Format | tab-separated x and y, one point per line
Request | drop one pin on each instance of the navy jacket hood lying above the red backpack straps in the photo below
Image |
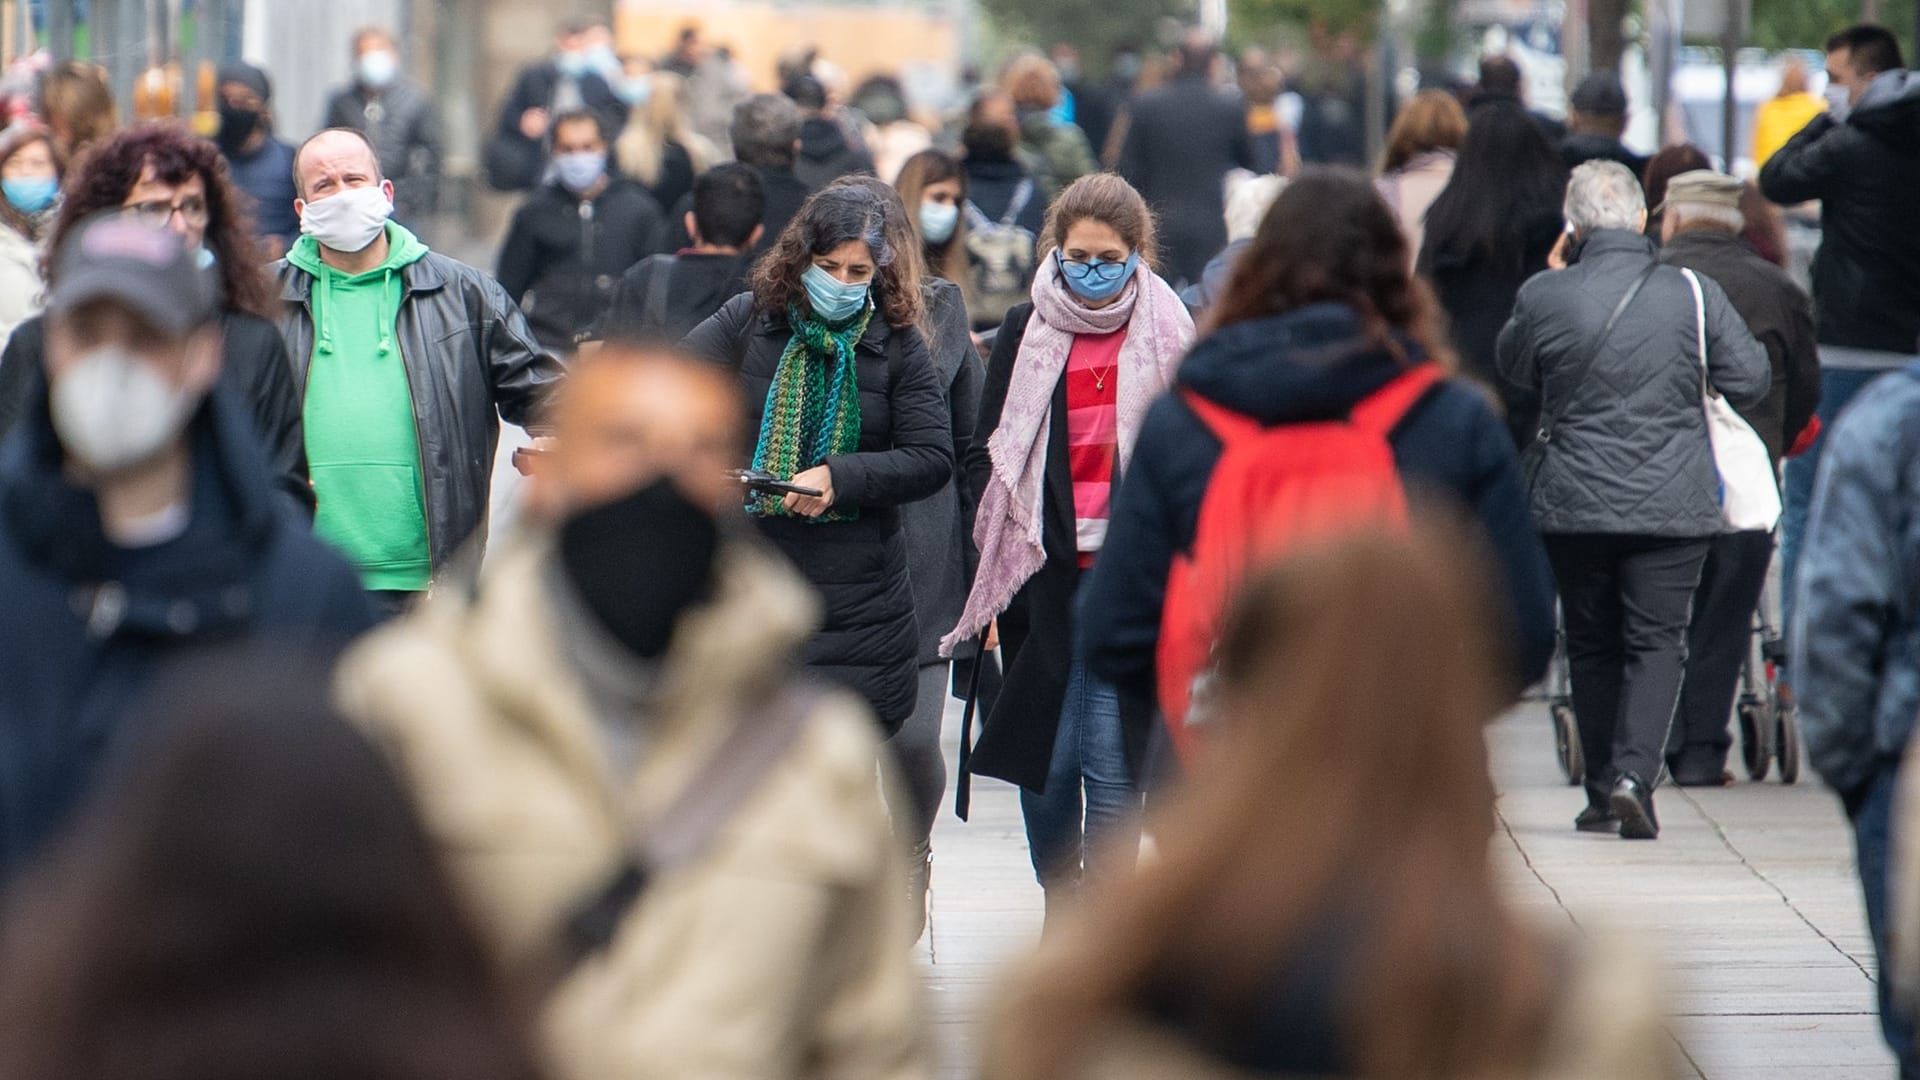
1303	366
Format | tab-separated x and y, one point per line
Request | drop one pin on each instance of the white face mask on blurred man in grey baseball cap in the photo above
112	410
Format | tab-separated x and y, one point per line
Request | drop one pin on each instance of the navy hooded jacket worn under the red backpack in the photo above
1314	364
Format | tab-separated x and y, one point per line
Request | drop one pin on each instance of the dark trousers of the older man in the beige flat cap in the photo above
1717	647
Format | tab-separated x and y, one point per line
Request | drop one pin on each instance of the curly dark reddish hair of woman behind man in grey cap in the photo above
176	155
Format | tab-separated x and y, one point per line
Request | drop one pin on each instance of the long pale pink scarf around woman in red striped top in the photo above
1009	524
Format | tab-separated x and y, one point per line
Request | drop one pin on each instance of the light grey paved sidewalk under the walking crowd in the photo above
1748	896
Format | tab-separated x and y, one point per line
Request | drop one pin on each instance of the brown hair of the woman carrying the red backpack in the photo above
1330	239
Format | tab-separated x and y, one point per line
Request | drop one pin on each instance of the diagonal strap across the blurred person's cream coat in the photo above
690	825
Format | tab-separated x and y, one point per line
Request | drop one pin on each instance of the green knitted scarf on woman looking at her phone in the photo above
813	408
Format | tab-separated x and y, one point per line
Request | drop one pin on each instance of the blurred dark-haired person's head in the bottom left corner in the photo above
251	896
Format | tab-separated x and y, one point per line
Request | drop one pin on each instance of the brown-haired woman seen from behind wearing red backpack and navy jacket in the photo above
1320	322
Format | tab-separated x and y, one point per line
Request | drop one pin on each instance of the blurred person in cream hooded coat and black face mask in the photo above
636	791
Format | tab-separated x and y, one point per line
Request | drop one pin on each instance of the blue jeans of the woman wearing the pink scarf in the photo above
1090	754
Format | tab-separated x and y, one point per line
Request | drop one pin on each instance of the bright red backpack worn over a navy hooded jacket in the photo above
1274	491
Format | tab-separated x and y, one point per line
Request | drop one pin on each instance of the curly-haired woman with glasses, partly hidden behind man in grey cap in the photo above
172	178
